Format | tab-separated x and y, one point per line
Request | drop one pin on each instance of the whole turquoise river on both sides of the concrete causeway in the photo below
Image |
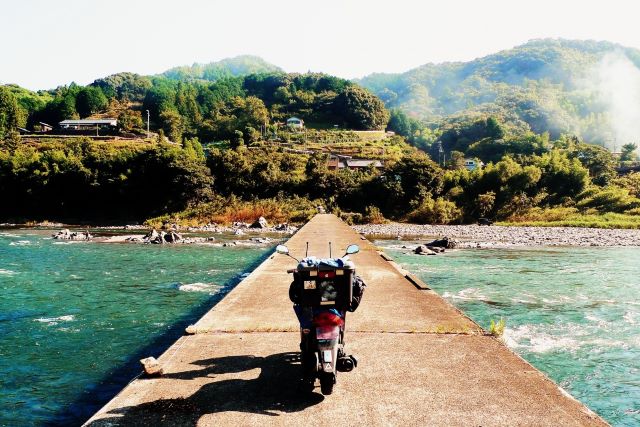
75	318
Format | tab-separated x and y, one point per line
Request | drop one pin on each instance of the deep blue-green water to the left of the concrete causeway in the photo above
75	318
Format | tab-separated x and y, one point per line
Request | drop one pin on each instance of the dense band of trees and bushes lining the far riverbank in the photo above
85	180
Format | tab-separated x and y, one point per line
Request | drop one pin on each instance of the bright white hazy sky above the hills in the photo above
45	43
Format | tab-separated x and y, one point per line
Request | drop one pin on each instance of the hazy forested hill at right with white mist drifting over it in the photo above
560	86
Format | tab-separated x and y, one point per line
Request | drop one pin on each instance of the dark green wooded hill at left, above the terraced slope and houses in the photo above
231	108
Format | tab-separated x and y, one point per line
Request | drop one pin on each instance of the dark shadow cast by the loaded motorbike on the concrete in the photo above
275	390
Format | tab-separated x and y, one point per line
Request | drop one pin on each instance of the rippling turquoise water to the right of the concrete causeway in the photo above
573	313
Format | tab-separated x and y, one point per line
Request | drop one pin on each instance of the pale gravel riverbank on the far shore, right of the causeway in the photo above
476	236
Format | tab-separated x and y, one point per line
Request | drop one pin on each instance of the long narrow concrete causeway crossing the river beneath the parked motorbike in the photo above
421	361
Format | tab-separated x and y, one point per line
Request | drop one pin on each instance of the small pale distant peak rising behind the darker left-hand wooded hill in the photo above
229	67
